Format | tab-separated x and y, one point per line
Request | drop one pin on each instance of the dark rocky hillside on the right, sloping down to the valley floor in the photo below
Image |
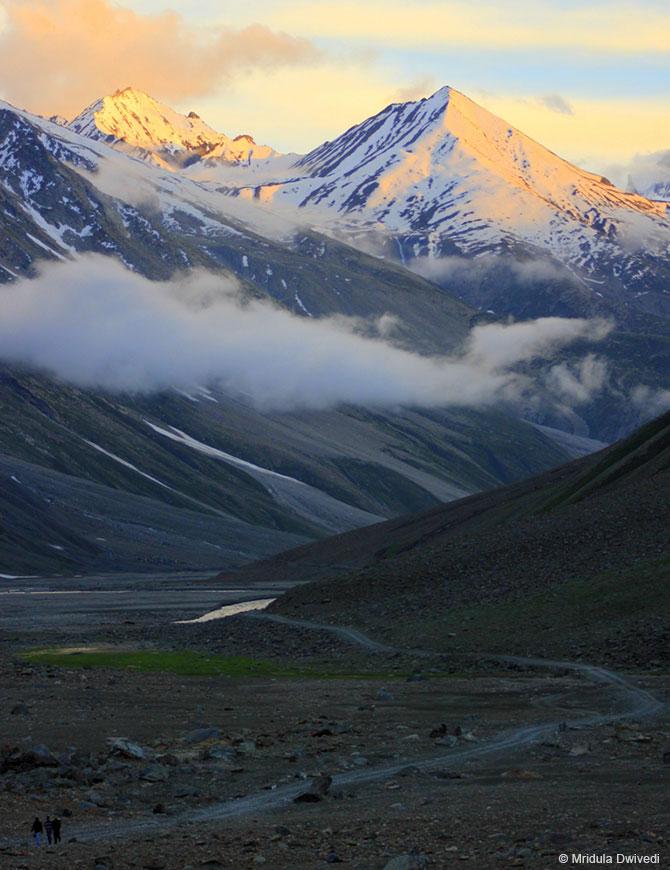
574	560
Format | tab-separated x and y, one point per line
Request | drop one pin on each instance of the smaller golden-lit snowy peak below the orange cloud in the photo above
133	120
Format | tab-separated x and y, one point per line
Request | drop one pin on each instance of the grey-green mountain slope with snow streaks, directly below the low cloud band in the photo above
175	481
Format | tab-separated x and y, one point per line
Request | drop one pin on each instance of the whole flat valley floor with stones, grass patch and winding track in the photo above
243	742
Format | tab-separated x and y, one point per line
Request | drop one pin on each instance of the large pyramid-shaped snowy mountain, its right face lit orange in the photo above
443	176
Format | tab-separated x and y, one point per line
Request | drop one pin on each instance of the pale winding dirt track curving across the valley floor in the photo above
629	701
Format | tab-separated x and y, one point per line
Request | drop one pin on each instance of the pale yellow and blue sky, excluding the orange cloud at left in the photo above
608	60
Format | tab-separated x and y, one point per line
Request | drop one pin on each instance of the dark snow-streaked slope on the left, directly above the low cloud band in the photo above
63	194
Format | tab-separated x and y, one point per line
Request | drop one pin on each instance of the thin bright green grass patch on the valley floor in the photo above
188	663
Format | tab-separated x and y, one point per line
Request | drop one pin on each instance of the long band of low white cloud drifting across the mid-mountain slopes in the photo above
95	324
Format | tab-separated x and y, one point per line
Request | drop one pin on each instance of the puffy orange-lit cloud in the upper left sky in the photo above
59	55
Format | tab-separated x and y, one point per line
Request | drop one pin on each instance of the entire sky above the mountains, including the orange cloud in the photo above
590	79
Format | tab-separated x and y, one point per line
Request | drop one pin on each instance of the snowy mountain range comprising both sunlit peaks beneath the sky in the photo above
434	184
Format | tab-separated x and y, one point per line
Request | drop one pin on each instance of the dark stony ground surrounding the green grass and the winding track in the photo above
205	740
